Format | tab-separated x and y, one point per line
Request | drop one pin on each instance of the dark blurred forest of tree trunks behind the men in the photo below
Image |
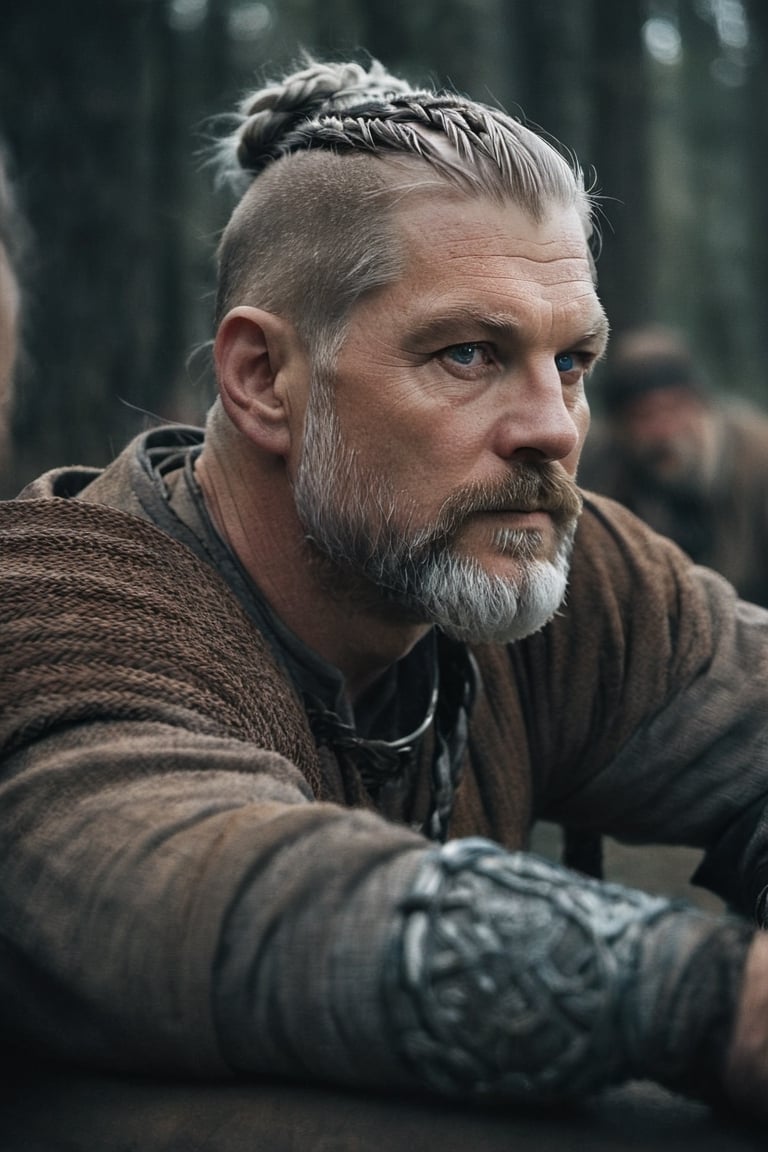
107	107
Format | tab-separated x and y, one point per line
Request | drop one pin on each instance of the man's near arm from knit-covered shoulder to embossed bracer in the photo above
174	898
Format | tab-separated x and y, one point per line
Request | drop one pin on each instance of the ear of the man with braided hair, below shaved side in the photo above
263	376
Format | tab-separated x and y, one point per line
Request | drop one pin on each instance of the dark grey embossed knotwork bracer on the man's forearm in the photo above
515	979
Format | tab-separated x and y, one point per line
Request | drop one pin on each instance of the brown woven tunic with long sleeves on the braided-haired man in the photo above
169	832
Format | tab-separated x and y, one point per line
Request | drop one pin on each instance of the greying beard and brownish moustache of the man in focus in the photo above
359	543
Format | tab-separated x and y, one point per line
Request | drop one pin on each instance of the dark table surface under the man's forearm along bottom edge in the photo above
87	1113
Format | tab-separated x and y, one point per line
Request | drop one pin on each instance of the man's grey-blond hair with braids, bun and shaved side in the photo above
322	158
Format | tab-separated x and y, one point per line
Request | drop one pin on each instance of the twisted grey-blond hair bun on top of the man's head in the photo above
268	116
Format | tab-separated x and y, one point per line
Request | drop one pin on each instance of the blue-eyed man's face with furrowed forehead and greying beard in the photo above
437	474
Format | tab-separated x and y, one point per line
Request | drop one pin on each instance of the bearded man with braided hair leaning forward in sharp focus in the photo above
284	702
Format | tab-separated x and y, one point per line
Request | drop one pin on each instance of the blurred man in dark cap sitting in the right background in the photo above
691	467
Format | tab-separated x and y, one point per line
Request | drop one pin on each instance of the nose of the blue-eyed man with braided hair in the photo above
539	422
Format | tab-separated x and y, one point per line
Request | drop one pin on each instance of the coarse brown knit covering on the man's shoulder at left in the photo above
105	617
